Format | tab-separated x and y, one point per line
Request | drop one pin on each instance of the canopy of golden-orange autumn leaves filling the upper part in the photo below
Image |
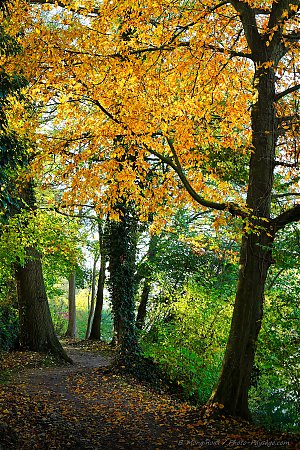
131	84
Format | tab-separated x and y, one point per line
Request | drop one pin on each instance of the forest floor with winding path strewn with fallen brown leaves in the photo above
85	406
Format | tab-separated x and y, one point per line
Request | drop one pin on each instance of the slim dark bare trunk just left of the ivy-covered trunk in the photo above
95	333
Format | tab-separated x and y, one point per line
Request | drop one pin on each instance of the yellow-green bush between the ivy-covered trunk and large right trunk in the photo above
187	339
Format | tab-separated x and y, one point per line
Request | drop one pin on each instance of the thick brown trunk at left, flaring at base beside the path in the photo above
36	327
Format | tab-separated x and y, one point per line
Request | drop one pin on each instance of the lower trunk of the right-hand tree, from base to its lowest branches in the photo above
233	385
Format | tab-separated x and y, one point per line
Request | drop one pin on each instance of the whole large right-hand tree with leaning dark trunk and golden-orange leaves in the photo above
147	81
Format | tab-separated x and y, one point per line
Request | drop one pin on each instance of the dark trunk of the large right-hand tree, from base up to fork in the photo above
233	385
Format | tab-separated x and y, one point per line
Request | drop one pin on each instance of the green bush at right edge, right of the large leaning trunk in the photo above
274	401
